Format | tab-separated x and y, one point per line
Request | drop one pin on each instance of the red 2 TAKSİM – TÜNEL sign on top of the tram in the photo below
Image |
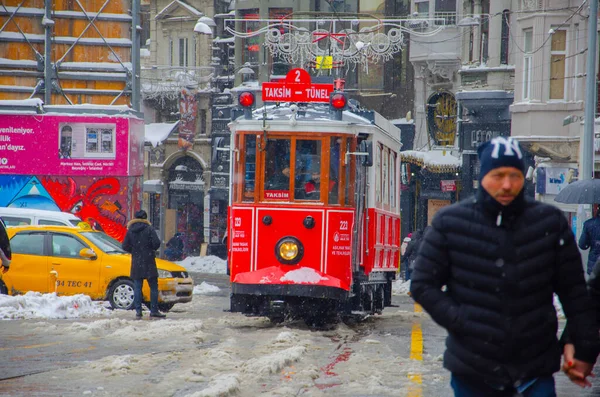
297	87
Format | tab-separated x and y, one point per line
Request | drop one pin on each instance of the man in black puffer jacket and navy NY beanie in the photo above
501	259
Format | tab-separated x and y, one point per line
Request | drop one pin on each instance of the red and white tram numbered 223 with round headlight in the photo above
314	216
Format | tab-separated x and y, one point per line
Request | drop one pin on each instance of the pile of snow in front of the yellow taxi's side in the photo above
38	305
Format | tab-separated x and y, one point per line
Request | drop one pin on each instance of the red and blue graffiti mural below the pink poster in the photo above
101	201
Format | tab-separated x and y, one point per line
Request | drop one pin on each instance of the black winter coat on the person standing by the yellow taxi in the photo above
141	241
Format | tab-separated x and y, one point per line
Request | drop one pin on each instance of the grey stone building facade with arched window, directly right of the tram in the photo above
464	86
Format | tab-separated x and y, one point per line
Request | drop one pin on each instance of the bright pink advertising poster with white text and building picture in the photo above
65	145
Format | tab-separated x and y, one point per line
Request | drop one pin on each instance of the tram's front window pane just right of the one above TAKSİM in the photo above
308	178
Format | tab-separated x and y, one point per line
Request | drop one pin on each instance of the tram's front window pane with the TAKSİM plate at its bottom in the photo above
277	169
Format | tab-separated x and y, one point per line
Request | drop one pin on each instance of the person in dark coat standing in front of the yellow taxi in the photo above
142	241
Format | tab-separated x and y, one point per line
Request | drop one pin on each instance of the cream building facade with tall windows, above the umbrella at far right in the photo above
547	115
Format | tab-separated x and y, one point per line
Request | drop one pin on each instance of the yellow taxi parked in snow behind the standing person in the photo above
79	260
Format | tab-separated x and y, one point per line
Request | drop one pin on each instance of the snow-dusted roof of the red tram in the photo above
320	113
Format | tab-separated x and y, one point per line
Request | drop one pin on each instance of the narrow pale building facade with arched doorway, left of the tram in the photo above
177	92
